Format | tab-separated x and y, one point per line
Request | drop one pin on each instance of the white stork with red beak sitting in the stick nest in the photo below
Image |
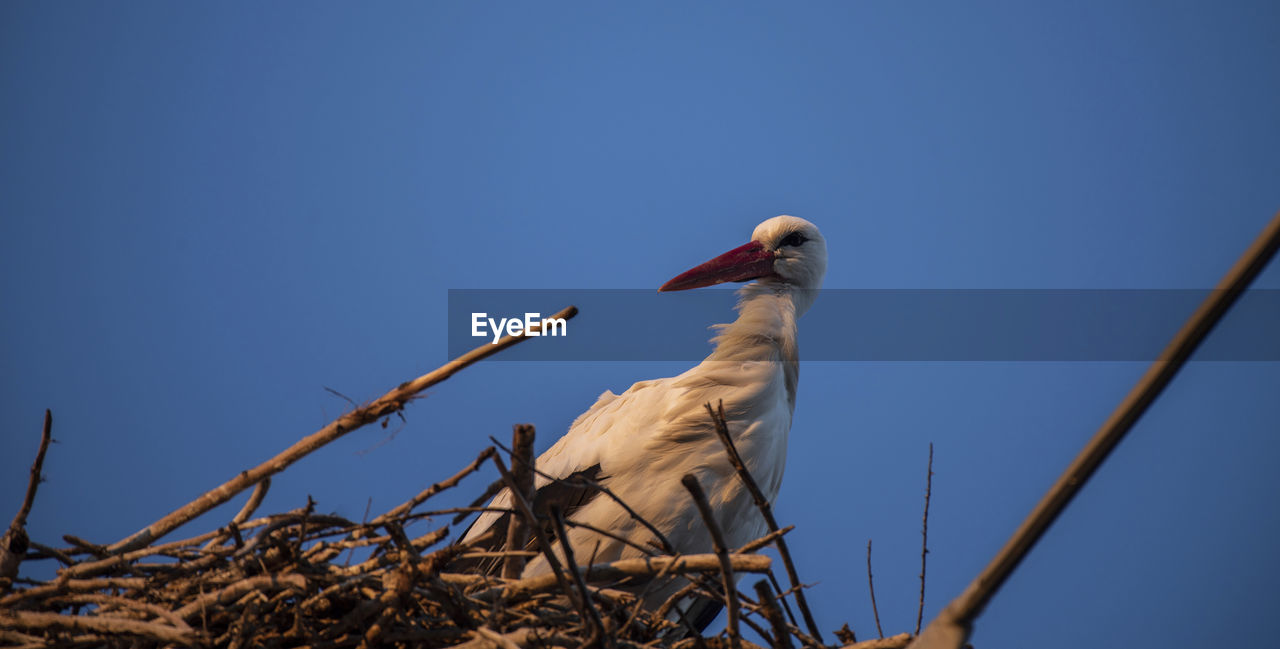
641	444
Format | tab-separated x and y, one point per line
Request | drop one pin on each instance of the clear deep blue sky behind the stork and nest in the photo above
211	212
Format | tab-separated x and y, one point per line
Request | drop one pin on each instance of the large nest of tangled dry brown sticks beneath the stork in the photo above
316	581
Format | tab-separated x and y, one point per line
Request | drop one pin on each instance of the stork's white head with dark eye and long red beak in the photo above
784	250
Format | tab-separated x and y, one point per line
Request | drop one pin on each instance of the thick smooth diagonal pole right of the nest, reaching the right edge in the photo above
954	624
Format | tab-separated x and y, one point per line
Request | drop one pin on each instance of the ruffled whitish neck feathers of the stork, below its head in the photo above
766	330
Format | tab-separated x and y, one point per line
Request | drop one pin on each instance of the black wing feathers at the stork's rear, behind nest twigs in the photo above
570	495
